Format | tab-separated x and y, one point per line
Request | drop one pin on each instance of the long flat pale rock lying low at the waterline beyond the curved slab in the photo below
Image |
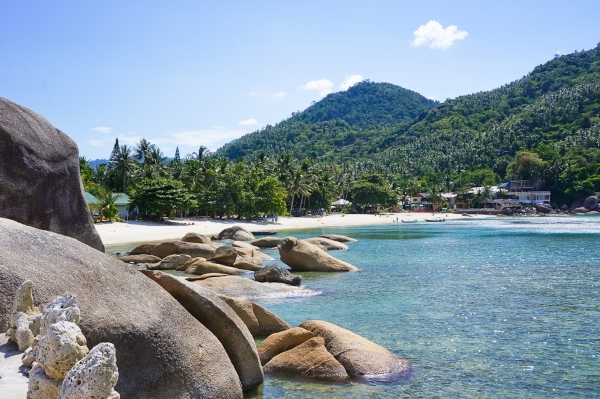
245	288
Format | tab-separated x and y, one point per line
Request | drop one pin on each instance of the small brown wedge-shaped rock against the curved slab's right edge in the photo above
258	319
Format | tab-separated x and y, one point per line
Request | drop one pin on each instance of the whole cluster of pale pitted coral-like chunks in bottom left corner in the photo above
56	350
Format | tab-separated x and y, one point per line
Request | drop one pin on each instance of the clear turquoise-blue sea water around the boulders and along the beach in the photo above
482	308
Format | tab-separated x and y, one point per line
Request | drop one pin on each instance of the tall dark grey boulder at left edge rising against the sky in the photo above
40	185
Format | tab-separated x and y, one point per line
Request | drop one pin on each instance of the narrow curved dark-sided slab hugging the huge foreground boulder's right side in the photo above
221	320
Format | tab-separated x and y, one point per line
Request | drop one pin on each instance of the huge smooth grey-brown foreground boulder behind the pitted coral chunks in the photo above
162	350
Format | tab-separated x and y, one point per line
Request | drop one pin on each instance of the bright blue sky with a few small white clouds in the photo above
197	73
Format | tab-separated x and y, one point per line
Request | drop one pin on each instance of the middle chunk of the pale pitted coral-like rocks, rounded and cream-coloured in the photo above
59	350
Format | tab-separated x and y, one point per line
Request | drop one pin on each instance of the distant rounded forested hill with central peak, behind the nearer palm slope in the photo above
356	121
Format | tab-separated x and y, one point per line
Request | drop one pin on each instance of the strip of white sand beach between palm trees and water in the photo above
140	231
